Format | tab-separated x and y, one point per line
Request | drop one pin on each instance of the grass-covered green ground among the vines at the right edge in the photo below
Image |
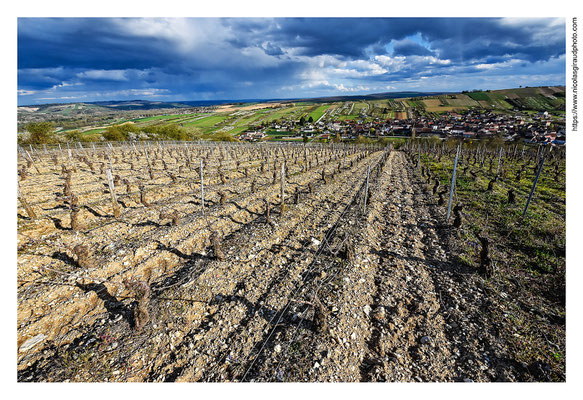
529	253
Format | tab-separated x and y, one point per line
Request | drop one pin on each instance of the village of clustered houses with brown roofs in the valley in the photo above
540	127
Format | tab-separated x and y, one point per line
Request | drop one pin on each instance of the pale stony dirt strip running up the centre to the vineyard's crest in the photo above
385	322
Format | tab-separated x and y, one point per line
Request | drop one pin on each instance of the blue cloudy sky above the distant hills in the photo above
62	60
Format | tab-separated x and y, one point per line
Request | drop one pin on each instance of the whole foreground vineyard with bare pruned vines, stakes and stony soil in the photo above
210	261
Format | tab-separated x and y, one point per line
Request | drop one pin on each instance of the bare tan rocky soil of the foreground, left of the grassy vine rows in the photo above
343	285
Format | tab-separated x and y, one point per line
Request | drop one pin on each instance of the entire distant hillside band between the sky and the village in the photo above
236	117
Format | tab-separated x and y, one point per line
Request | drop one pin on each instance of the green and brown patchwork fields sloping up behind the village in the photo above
526	99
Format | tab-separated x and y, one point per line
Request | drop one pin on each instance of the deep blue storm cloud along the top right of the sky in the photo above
454	38
